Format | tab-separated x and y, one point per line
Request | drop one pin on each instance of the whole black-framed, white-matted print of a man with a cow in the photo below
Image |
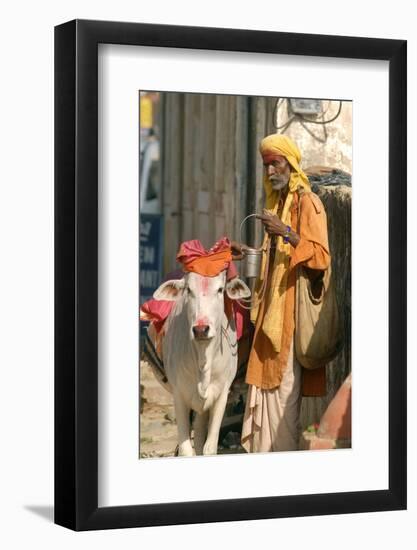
205	180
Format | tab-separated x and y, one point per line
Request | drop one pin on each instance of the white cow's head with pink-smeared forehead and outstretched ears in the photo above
203	299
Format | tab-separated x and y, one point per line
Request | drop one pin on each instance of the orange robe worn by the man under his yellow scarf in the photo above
266	366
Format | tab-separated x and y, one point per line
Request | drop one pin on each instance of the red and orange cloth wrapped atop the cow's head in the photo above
209	263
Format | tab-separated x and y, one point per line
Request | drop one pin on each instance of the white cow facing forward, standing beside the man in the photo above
200	354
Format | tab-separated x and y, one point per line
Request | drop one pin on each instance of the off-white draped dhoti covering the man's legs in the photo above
272	417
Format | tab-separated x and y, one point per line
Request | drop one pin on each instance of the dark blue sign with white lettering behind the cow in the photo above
150	254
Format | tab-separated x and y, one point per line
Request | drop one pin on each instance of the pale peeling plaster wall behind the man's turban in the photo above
327	145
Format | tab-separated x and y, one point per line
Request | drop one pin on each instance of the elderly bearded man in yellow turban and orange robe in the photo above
295	233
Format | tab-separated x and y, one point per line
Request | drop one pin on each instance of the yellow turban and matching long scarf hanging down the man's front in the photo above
270	147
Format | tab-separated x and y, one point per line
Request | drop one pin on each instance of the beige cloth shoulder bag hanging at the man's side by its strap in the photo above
318	331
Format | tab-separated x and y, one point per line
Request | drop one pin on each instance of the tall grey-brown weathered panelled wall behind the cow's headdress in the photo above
211	168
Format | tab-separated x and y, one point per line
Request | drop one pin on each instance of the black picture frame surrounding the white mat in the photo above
76	271
